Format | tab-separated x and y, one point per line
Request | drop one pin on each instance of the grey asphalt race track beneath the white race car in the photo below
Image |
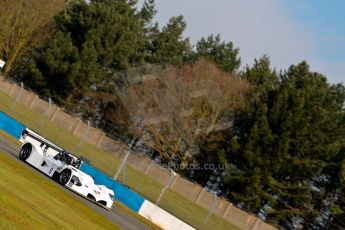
115	215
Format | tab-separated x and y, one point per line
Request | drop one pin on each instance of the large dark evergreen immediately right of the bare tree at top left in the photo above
92	41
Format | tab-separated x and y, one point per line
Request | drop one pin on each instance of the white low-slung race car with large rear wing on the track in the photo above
63	167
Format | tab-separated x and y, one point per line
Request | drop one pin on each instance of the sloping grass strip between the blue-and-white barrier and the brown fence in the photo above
174	203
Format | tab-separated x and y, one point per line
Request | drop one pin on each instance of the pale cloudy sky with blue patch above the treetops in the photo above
288	31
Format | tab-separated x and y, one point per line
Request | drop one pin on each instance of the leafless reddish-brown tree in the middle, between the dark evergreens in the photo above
174	109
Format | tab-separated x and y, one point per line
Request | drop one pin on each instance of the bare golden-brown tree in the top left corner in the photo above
23	24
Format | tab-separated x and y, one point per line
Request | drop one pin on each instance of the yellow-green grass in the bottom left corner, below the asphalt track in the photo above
28	201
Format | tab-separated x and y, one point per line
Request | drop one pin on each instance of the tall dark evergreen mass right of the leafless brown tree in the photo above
283	145
